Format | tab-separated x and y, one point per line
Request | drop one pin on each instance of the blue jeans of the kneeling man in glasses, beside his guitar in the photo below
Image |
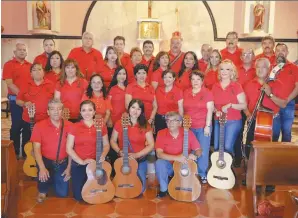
164	169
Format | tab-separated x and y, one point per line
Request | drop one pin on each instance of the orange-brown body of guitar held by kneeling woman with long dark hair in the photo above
127	185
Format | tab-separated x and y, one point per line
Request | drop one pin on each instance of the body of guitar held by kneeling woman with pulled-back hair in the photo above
93	192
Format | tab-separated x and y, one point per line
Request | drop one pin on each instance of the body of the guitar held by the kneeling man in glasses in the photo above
185	188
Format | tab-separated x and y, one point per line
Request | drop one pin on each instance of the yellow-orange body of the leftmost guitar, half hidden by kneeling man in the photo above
29	166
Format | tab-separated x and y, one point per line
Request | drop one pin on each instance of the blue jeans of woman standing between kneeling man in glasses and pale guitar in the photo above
203	160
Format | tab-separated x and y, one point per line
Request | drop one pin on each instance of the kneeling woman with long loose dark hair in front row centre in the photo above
140	138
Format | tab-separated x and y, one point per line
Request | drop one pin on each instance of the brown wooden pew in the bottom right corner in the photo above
270	163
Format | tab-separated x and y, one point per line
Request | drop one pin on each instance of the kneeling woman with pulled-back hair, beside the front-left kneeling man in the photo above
81	146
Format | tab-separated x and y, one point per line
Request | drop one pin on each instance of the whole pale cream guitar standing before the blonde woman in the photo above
220	174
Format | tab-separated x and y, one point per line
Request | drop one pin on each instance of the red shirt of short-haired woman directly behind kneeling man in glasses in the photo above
168	101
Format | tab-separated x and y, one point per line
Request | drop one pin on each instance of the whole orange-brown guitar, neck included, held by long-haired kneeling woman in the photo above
126	181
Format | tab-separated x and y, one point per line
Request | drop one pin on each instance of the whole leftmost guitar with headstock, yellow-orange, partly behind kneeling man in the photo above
29	166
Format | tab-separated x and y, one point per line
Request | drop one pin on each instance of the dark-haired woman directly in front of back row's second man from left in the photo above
54	66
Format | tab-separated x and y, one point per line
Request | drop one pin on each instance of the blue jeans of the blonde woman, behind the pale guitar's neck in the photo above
232	130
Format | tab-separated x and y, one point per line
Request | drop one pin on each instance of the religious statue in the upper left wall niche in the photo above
43	15
